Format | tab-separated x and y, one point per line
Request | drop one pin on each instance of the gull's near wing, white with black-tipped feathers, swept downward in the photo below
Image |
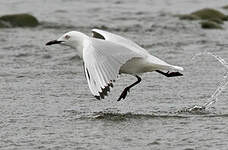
102	61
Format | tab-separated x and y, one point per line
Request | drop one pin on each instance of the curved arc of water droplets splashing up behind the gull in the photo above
217	92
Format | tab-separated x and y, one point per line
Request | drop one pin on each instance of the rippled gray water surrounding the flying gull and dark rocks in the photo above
45	102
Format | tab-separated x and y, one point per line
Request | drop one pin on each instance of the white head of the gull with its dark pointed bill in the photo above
73	39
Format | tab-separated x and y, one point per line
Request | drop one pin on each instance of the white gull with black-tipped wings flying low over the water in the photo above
106	55
